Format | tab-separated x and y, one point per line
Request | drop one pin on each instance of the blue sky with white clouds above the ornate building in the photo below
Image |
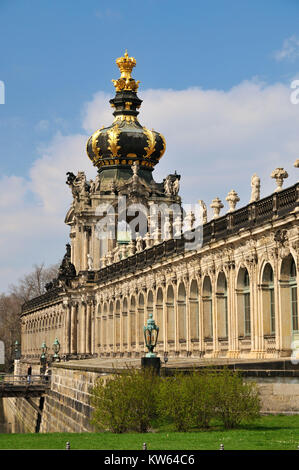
57	62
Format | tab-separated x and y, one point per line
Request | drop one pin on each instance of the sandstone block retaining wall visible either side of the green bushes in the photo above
66	408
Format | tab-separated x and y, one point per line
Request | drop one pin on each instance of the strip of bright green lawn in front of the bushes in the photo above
267	433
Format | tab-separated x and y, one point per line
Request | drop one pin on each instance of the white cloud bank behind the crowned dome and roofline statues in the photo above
216	140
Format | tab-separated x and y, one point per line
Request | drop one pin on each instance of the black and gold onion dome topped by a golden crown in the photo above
125	141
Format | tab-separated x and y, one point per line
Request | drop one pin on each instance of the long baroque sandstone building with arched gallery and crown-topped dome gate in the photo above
232	294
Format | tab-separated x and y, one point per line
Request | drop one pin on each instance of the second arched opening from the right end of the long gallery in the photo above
268	301
